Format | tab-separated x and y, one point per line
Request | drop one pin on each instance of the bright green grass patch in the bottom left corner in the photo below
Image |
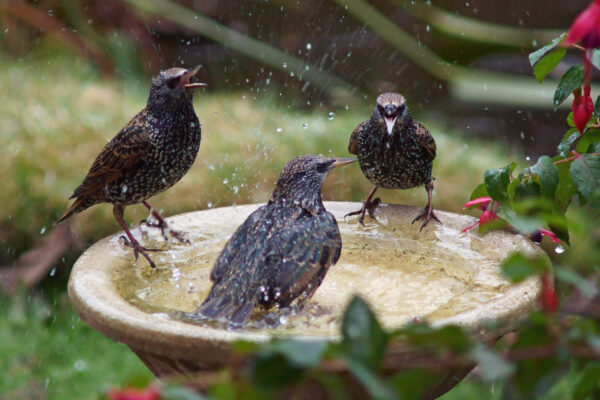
47	352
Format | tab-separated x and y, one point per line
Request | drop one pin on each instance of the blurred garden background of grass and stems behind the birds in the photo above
284	78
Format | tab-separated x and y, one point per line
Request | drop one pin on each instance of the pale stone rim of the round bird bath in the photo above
96	300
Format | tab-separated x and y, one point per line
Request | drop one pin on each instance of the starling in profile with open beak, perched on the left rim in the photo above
149	155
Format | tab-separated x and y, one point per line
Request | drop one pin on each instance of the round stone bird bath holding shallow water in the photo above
441	275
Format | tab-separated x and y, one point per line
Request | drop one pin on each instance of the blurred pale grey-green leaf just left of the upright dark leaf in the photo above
300	353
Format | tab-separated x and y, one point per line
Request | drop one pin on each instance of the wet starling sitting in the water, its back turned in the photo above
282	251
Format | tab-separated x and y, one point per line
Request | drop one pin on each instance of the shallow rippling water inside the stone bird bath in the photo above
403	273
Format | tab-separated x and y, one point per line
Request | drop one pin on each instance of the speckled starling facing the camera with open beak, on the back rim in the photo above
394	152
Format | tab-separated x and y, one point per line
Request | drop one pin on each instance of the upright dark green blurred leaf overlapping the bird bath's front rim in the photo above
363	339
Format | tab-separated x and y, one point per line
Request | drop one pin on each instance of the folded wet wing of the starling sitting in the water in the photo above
300	255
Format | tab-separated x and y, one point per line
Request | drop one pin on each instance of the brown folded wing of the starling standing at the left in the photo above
119	155
